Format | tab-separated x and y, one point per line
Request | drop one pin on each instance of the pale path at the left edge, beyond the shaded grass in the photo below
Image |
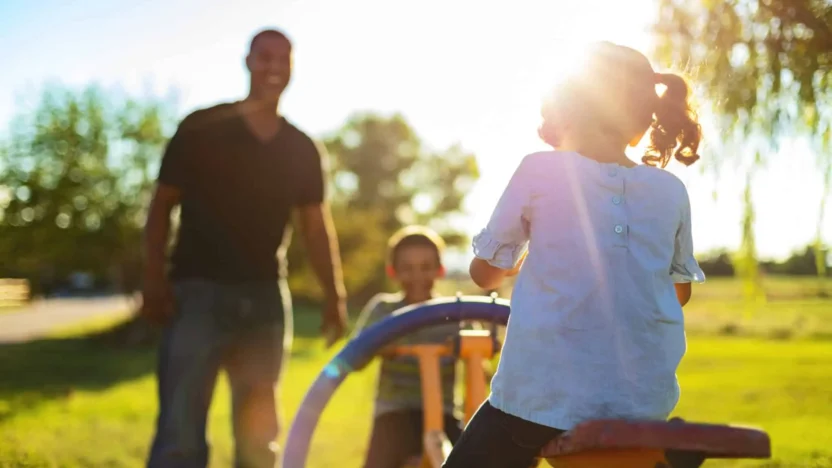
46	316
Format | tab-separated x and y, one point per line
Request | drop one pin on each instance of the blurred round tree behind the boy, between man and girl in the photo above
383	177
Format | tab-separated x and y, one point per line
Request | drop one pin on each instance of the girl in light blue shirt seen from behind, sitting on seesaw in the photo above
596	327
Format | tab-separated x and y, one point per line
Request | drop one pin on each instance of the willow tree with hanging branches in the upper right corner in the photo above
766	67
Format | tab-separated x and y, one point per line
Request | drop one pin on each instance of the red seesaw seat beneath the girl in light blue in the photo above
643	444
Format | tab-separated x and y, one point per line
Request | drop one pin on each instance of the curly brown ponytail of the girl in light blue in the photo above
675	130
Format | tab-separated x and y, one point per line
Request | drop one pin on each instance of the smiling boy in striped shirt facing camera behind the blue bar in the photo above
414	262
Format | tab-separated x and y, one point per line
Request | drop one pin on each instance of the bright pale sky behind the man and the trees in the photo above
461	71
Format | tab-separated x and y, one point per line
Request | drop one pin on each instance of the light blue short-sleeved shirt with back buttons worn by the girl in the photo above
596	330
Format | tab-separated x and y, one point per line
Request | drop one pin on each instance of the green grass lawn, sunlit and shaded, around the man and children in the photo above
69	401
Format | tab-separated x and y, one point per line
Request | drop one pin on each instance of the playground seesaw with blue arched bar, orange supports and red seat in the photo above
592	444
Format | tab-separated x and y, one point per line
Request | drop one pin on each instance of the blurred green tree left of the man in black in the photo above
76	177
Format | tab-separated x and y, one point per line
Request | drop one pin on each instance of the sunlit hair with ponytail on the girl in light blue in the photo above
616	89
